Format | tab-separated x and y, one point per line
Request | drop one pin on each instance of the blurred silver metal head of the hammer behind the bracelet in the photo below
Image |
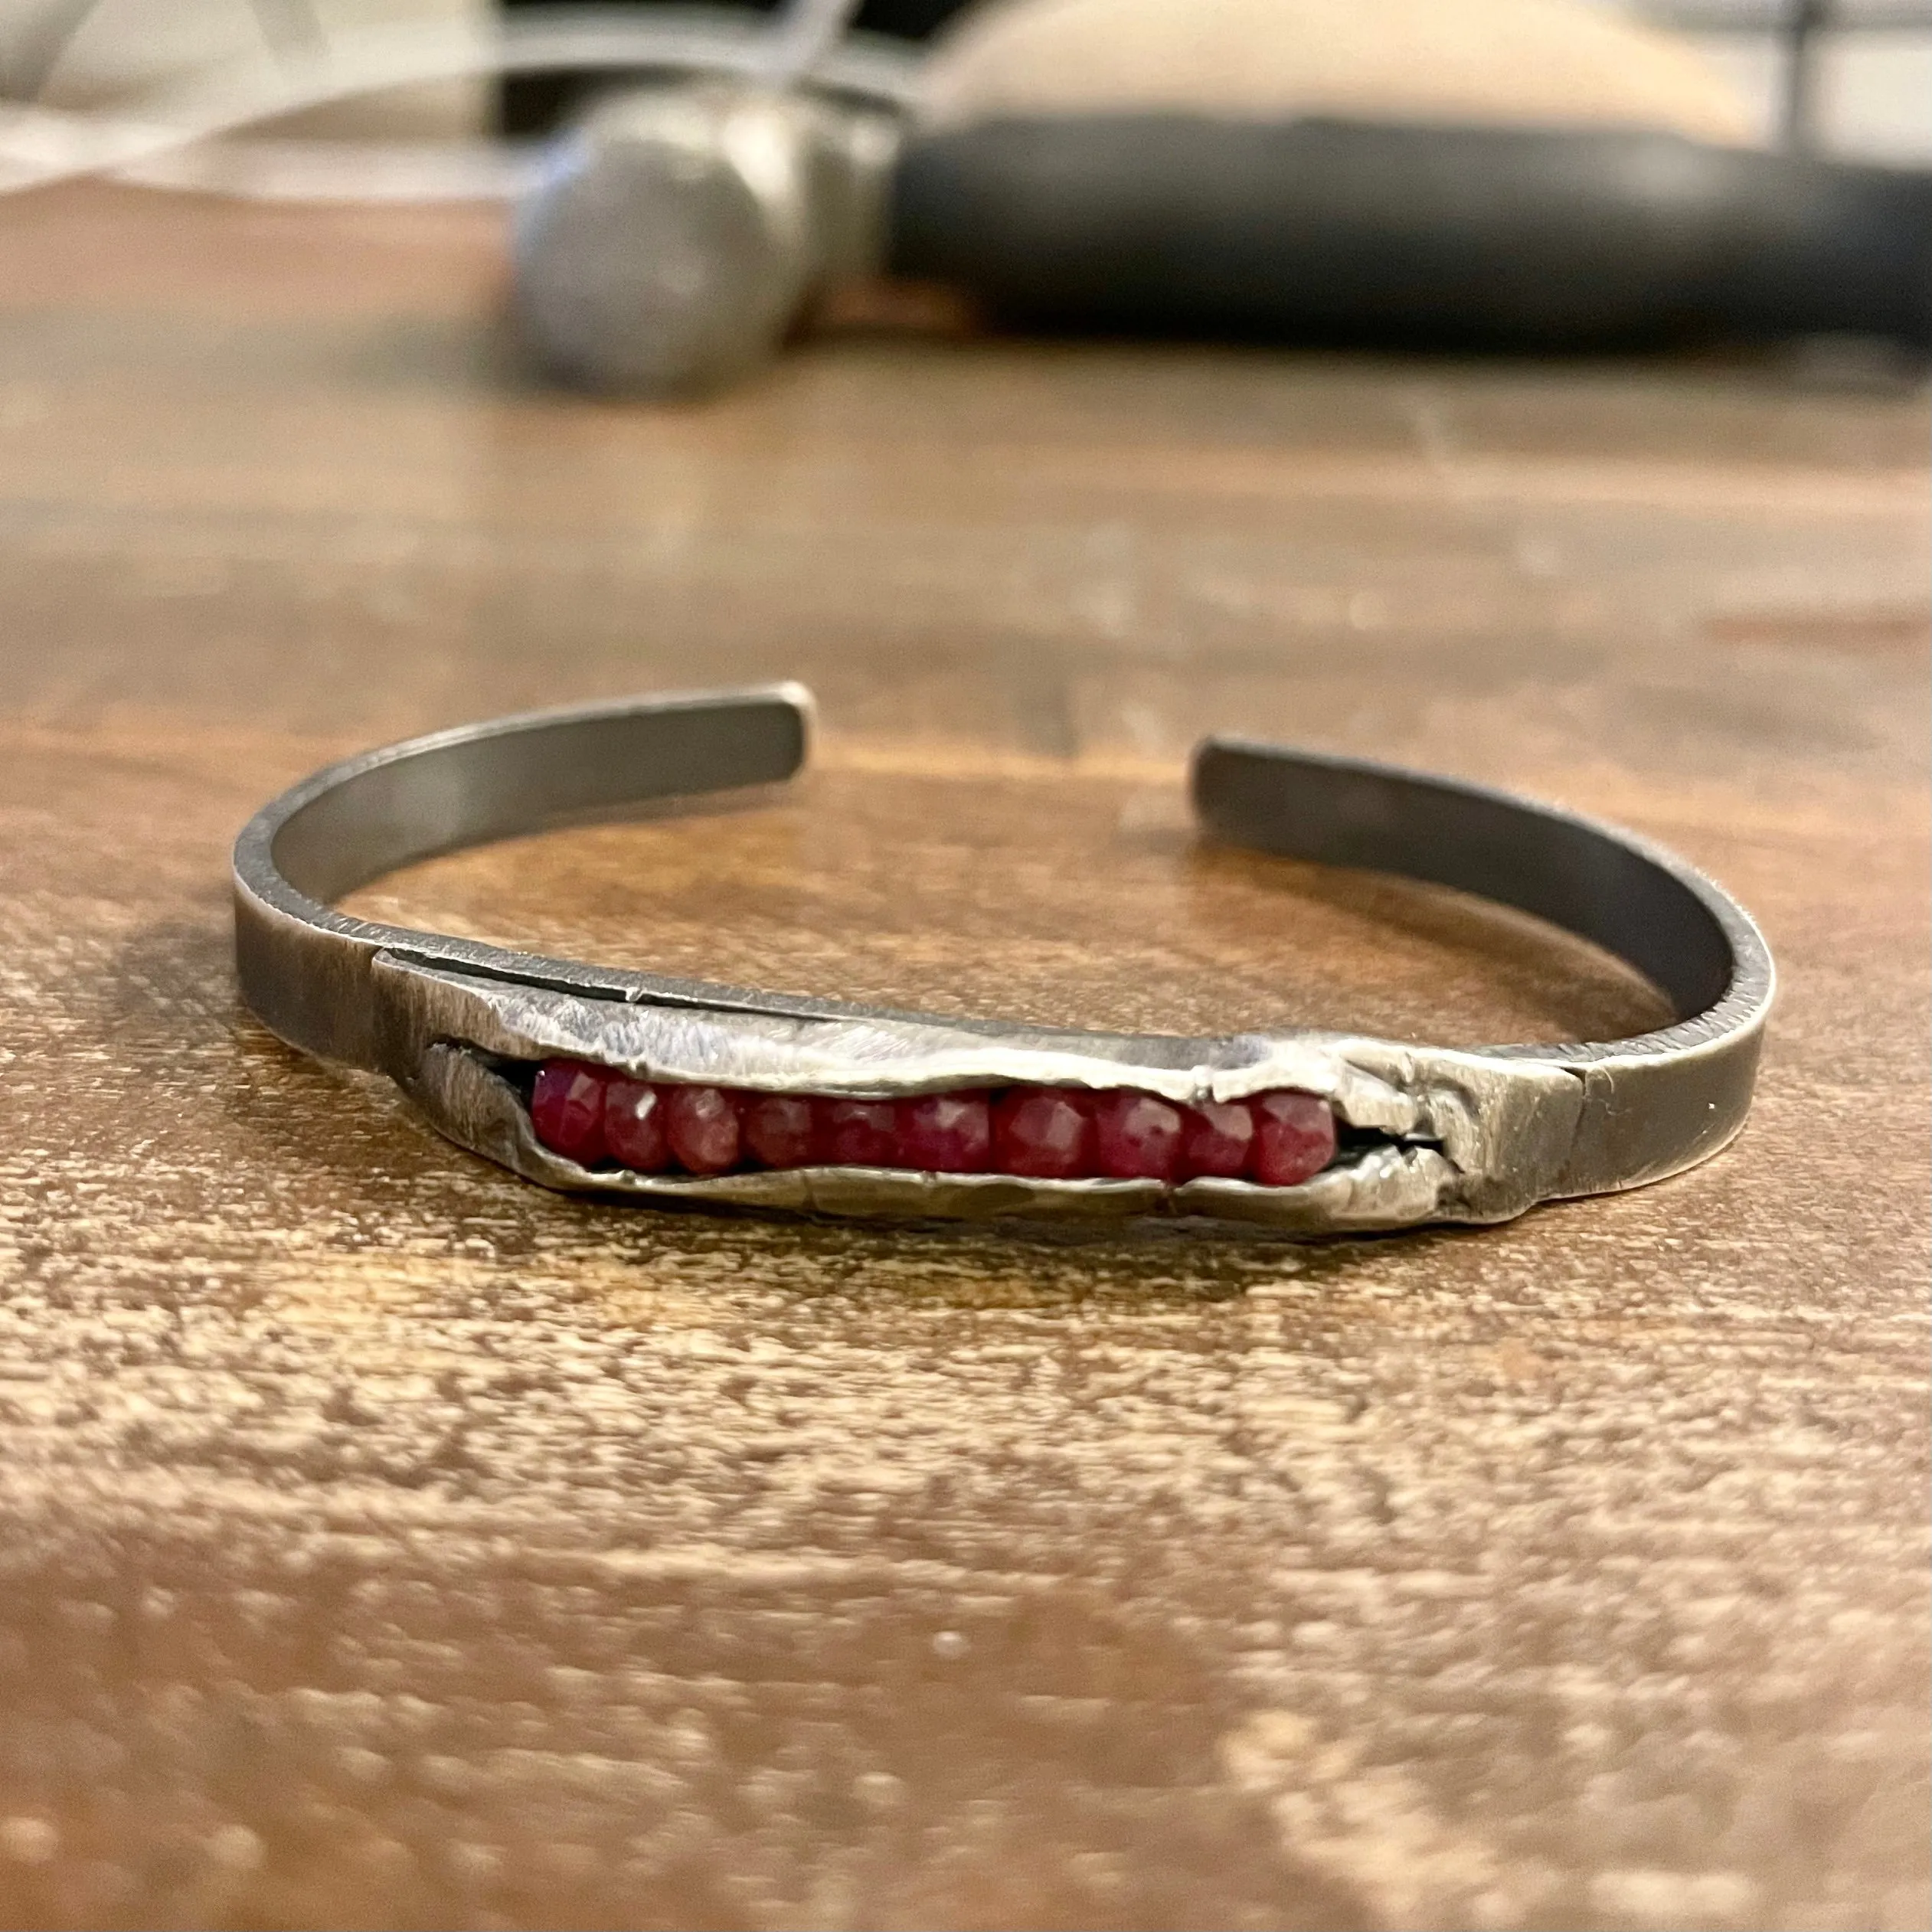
677	233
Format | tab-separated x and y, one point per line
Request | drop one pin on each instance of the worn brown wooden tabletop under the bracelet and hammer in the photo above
393	1545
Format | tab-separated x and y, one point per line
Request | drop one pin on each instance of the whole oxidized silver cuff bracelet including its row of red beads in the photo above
648	1089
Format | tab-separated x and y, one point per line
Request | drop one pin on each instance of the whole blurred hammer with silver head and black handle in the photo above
681	231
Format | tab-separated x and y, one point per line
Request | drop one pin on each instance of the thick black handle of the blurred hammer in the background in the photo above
1355	231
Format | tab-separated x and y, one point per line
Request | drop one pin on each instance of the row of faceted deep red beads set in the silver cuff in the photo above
594	1114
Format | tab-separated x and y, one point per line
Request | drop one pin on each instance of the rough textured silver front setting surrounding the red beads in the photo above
1471	1141
